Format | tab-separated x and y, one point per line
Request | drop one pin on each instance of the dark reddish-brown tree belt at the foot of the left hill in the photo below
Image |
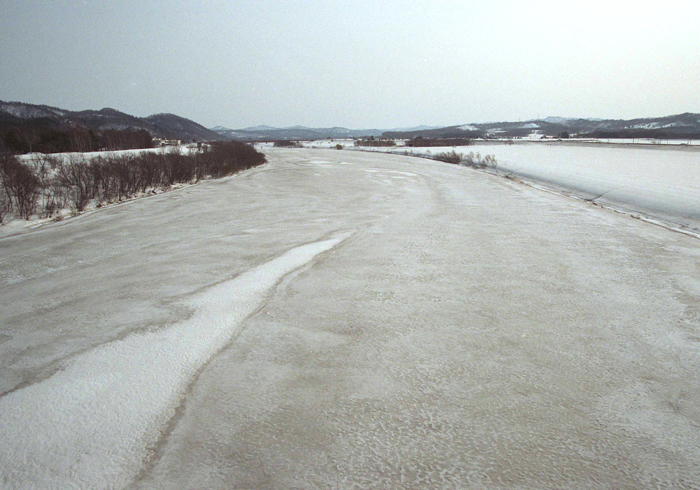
46	138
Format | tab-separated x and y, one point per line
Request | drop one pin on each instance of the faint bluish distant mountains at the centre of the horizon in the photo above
267	133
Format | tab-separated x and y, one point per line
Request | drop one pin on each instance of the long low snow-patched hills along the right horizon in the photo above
679	126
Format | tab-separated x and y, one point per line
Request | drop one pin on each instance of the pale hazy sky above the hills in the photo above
357	64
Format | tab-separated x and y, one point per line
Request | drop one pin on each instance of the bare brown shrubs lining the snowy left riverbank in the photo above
46	184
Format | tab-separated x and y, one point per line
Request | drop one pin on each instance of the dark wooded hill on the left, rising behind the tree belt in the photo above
161	125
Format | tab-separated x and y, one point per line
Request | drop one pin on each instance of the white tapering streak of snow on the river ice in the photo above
92	424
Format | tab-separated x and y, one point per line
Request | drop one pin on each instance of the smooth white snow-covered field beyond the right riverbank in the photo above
658	182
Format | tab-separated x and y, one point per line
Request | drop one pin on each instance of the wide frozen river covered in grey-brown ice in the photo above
345	320
